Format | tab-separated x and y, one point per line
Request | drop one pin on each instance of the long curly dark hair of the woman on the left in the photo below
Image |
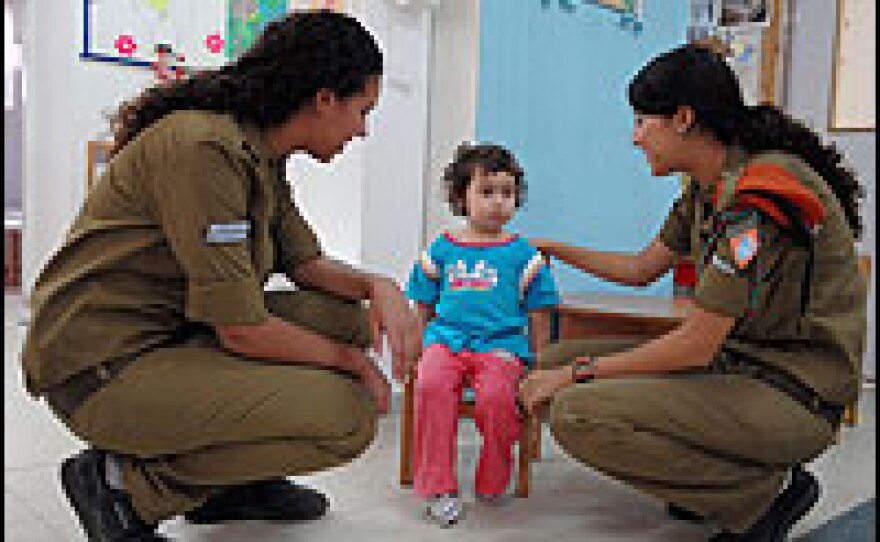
288	64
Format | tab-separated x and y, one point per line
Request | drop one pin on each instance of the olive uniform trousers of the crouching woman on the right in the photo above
719	445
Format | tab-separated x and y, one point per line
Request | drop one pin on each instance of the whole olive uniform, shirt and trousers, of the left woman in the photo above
179	235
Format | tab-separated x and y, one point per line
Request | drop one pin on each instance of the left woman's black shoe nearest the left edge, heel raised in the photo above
105	513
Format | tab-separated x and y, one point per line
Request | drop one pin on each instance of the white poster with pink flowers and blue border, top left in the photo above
147	32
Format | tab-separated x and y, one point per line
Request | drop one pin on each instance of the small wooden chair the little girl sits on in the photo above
529	440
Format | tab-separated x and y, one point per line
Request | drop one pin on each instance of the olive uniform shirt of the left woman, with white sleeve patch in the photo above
185	225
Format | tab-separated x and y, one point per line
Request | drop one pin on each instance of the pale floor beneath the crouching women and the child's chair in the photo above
567	502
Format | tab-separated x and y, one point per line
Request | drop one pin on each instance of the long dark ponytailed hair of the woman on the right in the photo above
695	76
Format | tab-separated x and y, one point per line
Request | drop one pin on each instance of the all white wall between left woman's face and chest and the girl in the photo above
367	206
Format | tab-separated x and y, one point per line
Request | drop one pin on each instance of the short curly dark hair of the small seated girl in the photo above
486	158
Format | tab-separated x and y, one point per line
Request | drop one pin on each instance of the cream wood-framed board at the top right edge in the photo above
854	89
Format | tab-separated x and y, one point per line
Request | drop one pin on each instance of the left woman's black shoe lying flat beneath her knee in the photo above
264	500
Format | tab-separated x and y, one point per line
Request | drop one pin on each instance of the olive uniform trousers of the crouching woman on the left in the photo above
193	419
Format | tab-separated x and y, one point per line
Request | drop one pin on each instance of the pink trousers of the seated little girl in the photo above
441	376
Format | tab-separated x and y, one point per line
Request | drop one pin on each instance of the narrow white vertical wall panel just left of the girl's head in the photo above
396	157
